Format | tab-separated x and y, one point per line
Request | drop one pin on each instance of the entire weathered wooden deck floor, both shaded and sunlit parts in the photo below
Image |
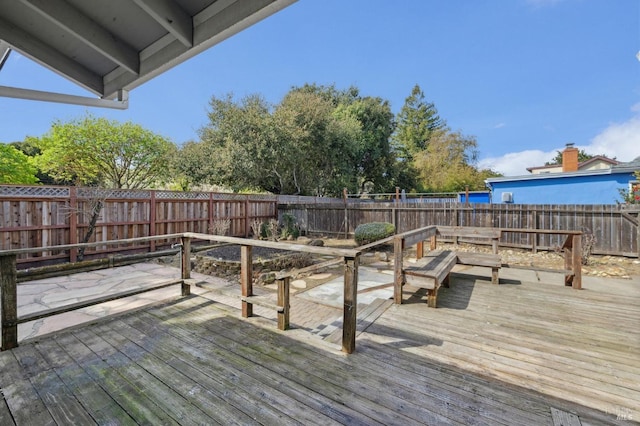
514	354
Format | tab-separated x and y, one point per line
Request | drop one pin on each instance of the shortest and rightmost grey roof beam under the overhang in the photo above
172	18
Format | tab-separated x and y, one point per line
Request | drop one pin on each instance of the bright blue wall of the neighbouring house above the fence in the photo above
586	189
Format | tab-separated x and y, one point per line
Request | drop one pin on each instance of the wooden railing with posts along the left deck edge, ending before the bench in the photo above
9	318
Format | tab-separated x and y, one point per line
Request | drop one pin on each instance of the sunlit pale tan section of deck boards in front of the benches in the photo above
570	345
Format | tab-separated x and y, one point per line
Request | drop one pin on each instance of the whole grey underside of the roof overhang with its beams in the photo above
111	47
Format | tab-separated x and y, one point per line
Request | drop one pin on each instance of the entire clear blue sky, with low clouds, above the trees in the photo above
524	77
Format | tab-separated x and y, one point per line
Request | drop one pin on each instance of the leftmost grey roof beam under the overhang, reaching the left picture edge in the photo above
44	54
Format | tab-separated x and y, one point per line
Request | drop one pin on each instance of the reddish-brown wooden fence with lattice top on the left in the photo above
41	216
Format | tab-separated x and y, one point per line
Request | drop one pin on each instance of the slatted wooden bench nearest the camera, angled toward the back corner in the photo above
430	272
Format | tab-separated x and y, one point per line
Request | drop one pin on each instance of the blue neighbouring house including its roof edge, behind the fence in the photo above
601	186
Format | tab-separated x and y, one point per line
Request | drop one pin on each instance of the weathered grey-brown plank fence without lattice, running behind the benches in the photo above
615	227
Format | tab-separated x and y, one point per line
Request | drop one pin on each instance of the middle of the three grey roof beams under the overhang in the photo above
88	32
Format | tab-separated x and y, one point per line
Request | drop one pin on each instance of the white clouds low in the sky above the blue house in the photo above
619	140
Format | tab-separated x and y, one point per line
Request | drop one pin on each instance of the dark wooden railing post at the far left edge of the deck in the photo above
8	302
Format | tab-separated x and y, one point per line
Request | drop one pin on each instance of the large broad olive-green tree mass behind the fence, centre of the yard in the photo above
316	141
